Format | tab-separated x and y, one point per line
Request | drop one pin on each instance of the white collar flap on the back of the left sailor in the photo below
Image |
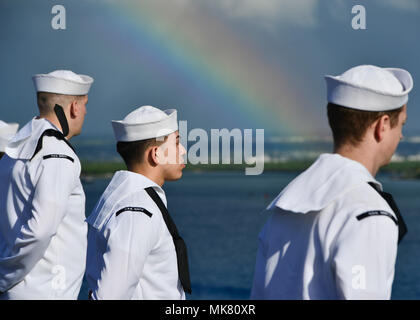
24	143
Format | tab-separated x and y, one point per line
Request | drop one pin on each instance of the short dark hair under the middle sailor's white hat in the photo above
133	152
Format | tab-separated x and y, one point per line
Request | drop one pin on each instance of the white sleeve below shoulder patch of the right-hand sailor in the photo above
364	258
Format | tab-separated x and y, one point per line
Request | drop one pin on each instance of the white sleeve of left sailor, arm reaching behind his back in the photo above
55	181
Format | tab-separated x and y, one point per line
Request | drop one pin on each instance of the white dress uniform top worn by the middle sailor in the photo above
131	254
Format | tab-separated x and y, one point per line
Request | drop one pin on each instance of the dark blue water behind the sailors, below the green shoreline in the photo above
219	214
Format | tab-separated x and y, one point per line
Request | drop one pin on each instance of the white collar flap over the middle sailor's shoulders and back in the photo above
123	183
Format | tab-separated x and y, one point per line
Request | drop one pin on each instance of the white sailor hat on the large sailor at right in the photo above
370	88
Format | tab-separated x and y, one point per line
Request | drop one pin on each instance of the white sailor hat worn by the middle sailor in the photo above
145	123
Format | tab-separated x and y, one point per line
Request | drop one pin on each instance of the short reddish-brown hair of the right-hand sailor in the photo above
350	125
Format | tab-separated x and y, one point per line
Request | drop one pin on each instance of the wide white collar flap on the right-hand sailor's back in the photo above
330	176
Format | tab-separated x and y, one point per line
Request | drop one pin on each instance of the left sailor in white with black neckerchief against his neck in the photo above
43	235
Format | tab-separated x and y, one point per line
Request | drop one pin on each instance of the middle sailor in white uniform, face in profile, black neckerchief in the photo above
134	248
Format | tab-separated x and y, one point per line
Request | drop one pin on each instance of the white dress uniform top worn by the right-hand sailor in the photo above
315	247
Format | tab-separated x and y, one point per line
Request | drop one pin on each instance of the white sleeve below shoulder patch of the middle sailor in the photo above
129	243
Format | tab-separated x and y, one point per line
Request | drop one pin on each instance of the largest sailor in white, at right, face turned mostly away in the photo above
333	232
